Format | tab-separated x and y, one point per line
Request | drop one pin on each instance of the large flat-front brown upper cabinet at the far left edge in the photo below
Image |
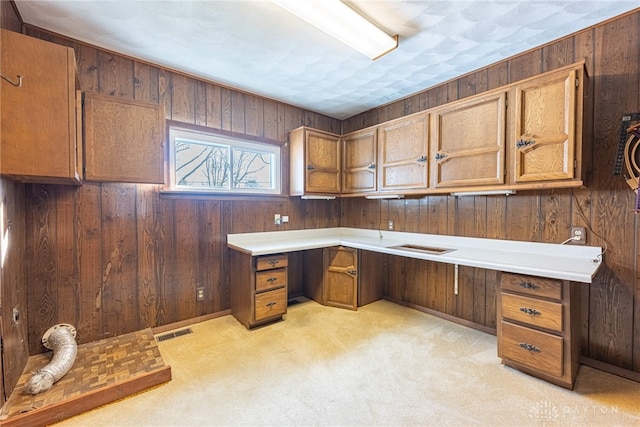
40	131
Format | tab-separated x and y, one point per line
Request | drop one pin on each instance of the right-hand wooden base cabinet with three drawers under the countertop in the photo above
537	327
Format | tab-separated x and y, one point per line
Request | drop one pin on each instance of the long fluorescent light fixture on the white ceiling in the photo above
345	24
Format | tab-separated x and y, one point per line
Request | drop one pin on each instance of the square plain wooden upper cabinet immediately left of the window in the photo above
124	140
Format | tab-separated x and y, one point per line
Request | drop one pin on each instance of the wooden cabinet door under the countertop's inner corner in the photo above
340	288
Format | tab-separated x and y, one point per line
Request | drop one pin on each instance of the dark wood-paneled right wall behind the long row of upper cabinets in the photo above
611	304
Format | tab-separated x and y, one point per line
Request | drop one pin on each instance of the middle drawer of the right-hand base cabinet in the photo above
532	311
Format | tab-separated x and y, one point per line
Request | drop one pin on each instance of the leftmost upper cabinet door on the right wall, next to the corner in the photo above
359	151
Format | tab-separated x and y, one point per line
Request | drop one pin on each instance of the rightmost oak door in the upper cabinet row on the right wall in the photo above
545	127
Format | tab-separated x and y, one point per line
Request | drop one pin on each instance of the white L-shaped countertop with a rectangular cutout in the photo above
578	263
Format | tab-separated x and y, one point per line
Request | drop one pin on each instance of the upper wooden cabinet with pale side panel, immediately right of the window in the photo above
315	163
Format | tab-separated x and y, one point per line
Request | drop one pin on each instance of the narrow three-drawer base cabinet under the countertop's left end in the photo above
258	288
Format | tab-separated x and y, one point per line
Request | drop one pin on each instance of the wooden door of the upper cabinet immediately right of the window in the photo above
322	155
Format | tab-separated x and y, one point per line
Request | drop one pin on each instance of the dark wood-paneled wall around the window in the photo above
115	258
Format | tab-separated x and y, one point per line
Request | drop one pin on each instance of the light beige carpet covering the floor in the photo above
382	365
